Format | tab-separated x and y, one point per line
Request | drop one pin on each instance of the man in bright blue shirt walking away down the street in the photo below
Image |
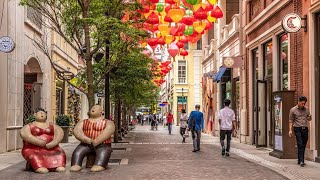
195	124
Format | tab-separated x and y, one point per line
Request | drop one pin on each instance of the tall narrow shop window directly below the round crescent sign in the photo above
283	64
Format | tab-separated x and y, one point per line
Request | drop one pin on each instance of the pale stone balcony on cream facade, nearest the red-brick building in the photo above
230	28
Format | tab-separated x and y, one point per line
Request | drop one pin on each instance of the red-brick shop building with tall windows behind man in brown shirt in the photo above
275	60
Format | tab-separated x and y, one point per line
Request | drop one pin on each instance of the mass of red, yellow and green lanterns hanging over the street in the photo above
173	23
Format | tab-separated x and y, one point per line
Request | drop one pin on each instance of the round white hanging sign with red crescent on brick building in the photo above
292	23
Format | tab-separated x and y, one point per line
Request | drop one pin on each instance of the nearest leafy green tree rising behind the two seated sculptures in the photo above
87	25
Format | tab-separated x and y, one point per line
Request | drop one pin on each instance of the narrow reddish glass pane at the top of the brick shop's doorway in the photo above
267	60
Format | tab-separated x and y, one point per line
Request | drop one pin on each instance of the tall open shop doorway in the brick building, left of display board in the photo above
262	124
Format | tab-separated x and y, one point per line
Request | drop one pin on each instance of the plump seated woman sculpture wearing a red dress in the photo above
41	144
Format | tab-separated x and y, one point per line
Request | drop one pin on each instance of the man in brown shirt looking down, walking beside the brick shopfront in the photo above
298	122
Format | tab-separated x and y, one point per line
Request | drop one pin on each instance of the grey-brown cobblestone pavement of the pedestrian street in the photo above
158	155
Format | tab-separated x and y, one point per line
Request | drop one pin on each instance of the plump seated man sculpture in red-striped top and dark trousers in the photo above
95	136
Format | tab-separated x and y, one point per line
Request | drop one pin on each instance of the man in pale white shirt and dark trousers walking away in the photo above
227	122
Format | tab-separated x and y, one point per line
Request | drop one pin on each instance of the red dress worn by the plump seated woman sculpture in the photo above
41	156
